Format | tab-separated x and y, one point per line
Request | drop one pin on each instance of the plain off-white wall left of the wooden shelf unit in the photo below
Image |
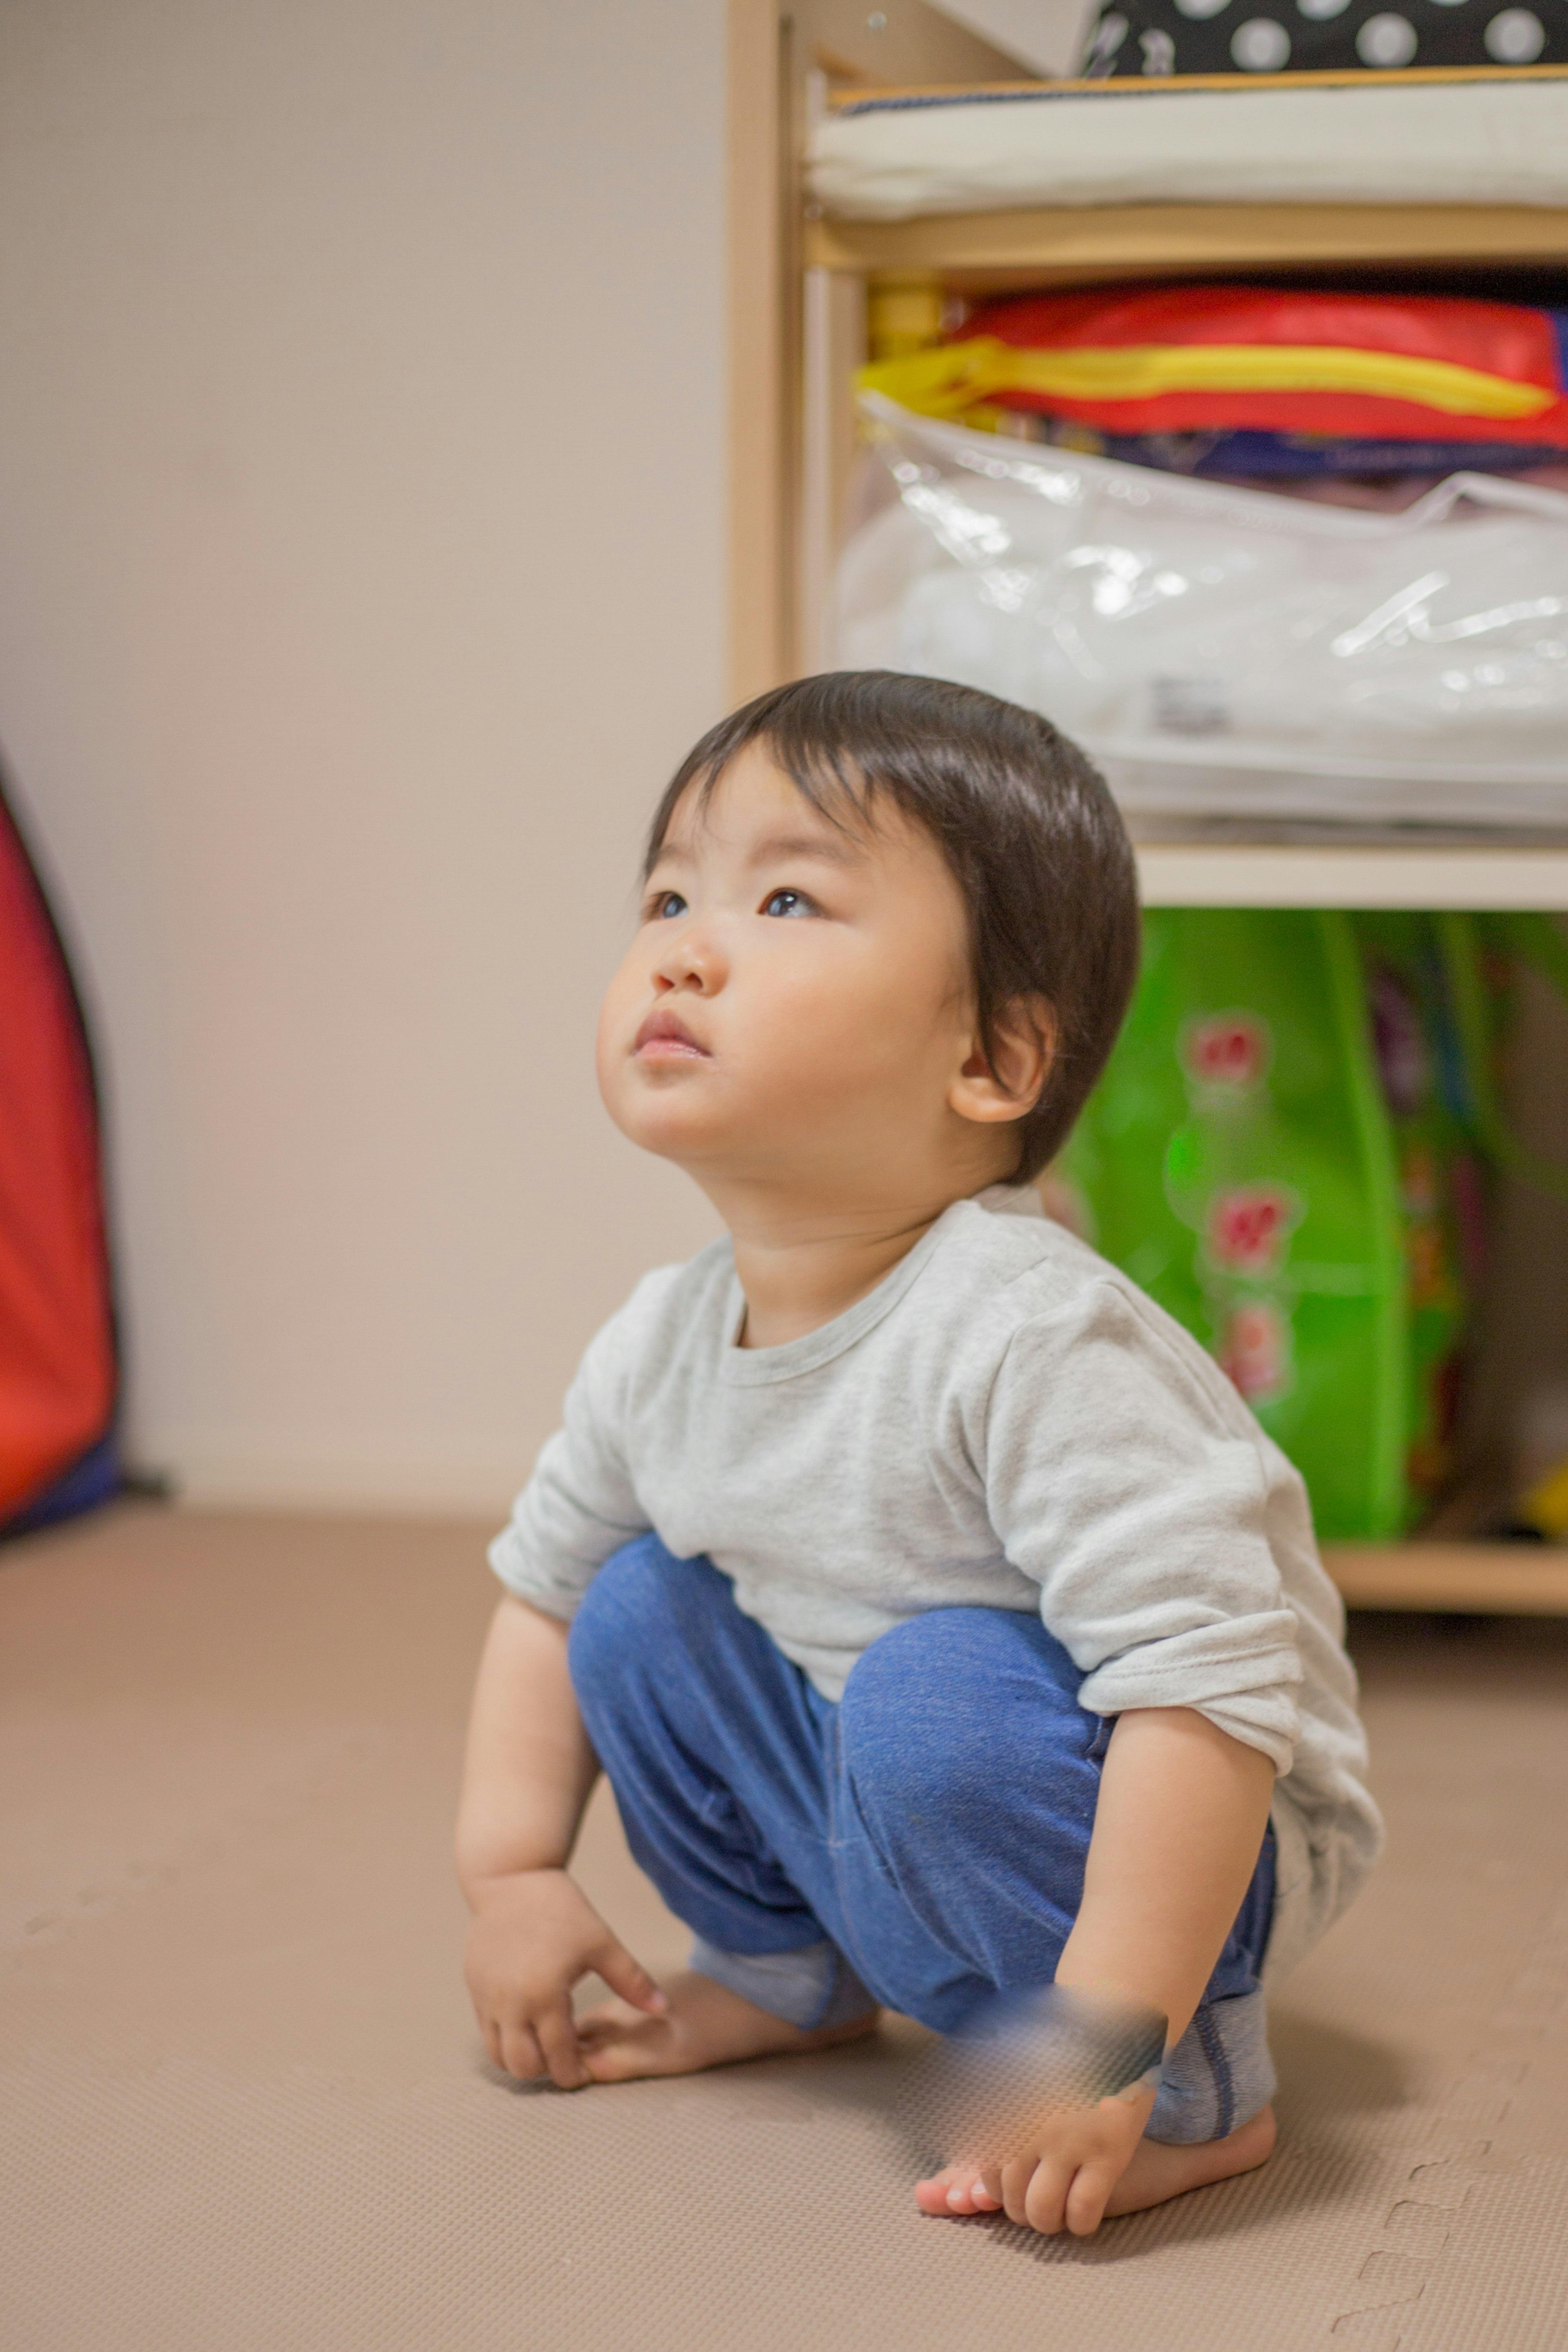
361	577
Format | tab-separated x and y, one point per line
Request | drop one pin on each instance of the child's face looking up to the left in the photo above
798	1008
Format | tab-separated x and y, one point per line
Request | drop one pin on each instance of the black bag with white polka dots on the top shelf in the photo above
1320	36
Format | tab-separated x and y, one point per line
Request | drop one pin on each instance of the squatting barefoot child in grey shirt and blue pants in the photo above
942	1617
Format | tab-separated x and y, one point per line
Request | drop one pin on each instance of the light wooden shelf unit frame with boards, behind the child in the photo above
798	323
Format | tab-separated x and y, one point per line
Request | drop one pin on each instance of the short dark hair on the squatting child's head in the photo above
1024	820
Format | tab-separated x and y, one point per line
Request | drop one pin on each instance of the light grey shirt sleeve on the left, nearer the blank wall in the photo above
582	1504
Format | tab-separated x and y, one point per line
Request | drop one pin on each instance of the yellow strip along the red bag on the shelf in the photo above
949	382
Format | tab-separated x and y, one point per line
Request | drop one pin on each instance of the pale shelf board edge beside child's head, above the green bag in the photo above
1287	874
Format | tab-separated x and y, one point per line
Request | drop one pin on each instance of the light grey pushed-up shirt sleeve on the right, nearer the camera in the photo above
1137	1492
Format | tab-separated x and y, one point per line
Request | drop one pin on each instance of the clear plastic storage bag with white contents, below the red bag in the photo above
1228	653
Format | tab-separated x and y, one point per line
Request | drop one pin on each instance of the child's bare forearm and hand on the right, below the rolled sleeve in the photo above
1174	1847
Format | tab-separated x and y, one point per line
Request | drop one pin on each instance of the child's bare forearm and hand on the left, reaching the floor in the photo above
525	1784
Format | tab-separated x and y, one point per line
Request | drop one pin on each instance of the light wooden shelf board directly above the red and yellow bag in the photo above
977	250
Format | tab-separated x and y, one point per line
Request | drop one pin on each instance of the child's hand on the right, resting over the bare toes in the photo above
1057	2177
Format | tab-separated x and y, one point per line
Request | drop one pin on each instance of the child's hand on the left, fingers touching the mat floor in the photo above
532	1937
